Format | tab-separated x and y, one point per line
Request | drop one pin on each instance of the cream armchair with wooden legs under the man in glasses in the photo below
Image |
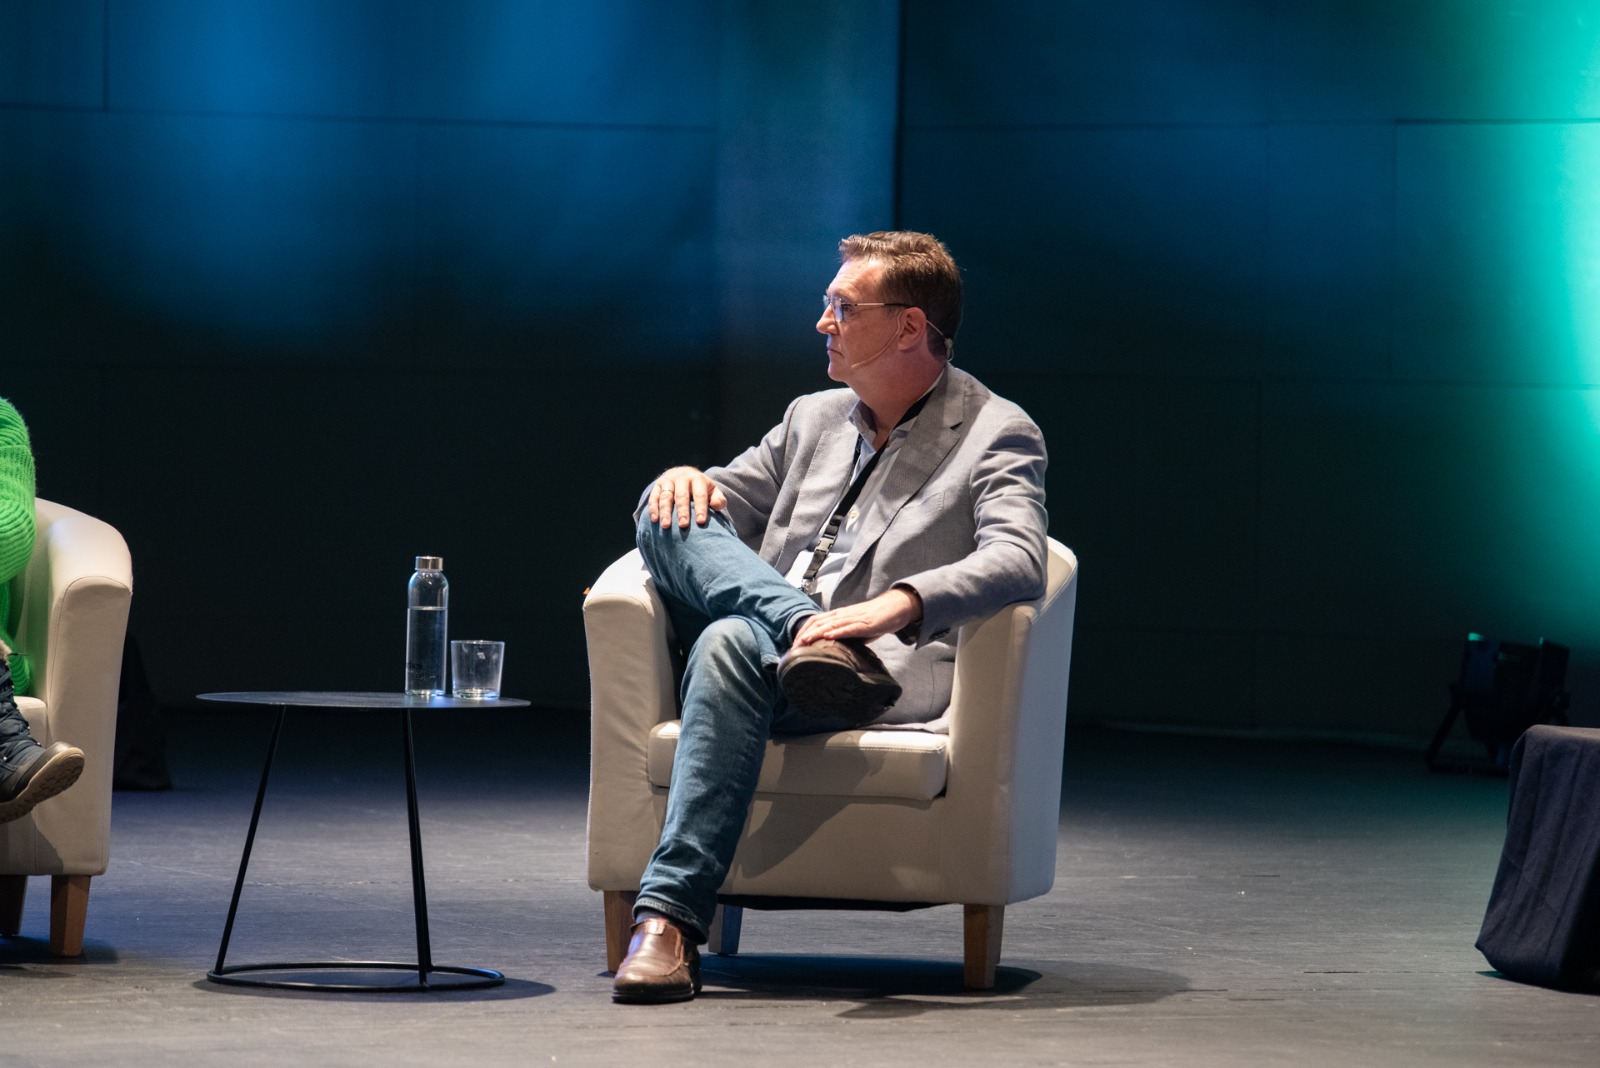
863	819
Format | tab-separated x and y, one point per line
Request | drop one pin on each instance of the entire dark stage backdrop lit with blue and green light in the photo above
1302	293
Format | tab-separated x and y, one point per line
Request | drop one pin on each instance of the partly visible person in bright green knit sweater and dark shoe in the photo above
30	773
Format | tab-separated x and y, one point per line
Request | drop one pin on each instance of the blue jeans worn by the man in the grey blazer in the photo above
735	615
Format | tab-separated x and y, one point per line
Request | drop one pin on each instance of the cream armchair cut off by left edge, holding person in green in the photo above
73	613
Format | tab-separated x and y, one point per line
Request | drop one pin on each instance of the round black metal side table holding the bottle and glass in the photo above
425	968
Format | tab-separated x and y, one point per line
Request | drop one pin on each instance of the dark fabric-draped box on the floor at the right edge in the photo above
1543	923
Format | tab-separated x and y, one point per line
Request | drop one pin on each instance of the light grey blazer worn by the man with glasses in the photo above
961	517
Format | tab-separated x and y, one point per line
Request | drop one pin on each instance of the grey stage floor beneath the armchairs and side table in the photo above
1217	904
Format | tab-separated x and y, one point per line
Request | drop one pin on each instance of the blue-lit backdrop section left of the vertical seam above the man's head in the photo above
294	292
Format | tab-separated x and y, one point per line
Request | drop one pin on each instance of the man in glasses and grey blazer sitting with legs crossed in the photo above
889	512
